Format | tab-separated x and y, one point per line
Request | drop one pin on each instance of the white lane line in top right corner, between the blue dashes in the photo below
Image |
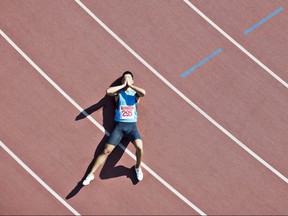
236	43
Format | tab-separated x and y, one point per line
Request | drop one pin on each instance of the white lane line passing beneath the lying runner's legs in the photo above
161	180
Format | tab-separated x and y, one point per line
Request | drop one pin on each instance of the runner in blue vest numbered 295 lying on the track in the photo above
127	97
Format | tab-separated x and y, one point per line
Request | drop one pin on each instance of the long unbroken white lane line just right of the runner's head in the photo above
116	37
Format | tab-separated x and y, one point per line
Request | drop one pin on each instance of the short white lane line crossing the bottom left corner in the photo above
37	178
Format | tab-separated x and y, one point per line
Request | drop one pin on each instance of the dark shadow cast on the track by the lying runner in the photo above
109	169
